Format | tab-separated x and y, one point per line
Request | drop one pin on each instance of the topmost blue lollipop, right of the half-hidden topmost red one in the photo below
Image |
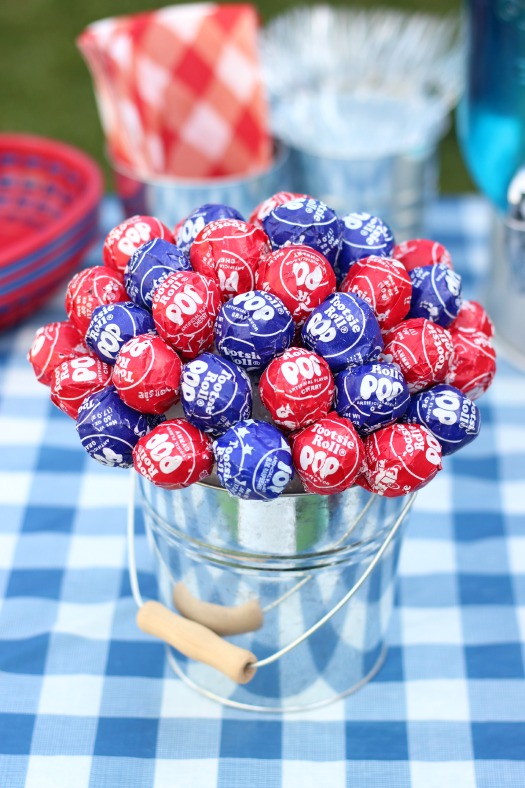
307	222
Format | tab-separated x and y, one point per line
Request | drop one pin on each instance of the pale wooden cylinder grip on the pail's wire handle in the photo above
196	642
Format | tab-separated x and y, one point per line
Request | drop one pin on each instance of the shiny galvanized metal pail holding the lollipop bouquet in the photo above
303	586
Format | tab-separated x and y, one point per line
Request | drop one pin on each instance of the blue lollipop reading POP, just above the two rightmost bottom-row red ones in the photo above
371	396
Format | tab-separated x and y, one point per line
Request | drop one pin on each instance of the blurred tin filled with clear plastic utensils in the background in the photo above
363	98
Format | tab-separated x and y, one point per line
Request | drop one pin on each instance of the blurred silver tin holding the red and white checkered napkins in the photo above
172	199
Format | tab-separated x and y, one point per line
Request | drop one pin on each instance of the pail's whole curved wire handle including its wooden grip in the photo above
200	643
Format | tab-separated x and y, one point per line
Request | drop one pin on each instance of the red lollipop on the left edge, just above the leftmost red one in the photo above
90	288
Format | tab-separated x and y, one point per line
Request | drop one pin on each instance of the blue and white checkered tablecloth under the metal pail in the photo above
87	700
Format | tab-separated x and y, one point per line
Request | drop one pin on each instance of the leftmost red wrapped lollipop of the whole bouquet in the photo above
53	344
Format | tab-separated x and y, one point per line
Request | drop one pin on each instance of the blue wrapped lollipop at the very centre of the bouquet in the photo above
253	328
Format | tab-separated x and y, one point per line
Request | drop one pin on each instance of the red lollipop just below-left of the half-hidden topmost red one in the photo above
229	251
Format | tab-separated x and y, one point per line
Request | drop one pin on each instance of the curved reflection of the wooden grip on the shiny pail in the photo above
220	619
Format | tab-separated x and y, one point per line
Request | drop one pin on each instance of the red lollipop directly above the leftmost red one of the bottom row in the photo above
147	374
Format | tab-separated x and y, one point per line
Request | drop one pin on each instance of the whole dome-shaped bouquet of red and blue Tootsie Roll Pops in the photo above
359	357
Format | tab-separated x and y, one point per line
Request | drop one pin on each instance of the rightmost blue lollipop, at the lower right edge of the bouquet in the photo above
449	415
